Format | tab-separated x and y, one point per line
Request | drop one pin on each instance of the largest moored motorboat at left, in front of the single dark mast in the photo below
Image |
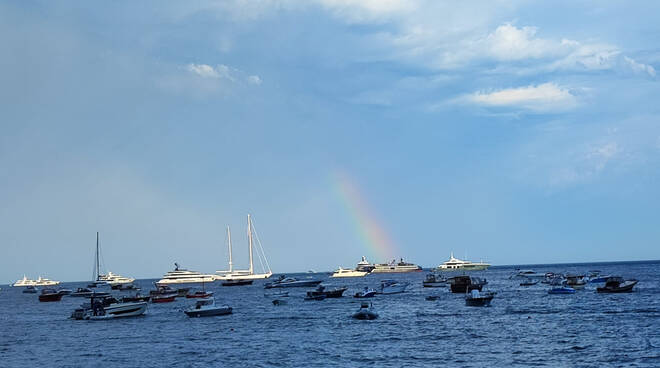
102	308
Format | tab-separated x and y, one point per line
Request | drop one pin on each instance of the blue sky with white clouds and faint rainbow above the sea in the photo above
513	132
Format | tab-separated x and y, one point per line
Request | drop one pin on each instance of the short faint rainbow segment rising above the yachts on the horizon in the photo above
373	236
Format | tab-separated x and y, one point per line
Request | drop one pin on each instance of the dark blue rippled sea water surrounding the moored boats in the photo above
525	326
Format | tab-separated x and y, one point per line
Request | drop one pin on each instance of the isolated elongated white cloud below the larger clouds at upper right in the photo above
547	97
